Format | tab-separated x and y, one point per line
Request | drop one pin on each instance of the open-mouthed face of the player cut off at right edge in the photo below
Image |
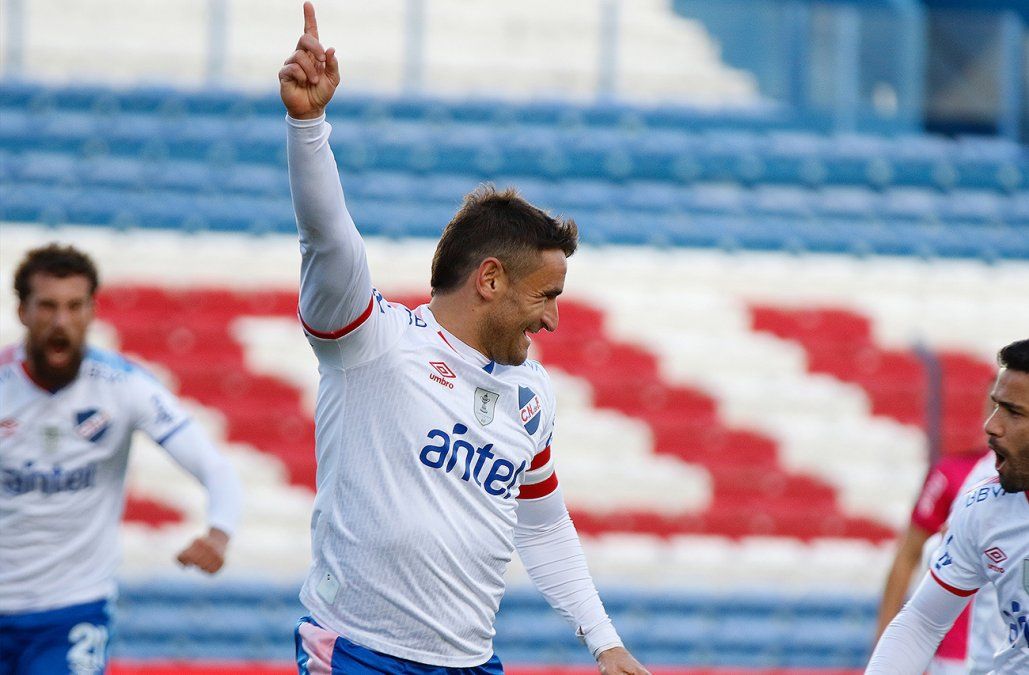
1008	429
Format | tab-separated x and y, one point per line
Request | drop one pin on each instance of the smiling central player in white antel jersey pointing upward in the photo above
433	431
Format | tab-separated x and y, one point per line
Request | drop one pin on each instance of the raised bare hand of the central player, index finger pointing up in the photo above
310	77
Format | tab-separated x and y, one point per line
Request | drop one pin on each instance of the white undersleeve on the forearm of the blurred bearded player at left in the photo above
195	452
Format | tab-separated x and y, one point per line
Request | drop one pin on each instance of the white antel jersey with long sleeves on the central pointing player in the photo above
433	460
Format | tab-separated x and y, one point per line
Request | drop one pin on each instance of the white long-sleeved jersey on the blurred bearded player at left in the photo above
63	460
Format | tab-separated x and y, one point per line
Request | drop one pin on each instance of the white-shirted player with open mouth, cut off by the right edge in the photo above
987	543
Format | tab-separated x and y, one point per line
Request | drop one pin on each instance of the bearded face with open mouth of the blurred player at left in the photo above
57	313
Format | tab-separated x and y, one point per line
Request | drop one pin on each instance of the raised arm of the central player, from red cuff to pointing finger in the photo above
336	286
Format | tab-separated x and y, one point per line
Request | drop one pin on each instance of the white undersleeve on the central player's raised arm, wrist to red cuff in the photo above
336	285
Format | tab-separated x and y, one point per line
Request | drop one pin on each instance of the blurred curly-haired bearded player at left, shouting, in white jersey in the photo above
67	415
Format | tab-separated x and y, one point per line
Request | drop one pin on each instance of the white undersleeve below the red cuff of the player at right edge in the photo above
912	638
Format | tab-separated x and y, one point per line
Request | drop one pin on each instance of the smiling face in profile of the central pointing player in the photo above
530	305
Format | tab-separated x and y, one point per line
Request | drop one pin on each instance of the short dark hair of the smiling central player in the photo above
502	225
